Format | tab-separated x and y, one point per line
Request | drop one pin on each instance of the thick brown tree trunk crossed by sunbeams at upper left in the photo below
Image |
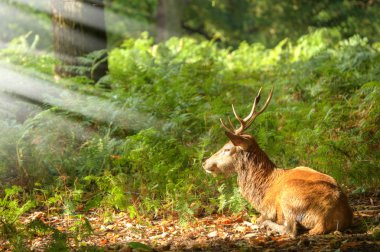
79	29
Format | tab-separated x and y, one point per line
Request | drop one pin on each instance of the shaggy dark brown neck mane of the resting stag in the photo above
255	172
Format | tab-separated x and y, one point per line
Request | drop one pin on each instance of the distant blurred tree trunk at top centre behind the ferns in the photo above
169	14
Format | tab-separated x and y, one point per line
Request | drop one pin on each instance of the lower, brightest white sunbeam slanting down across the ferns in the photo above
13	81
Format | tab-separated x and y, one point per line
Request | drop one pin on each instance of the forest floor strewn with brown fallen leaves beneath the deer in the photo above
119	232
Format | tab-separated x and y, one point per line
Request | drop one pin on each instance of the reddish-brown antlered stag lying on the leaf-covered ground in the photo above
285	198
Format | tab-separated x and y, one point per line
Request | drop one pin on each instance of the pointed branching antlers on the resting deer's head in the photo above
247	121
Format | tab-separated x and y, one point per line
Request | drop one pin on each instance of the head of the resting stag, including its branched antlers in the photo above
224	161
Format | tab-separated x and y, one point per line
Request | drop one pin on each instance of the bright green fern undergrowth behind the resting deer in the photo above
166	100
